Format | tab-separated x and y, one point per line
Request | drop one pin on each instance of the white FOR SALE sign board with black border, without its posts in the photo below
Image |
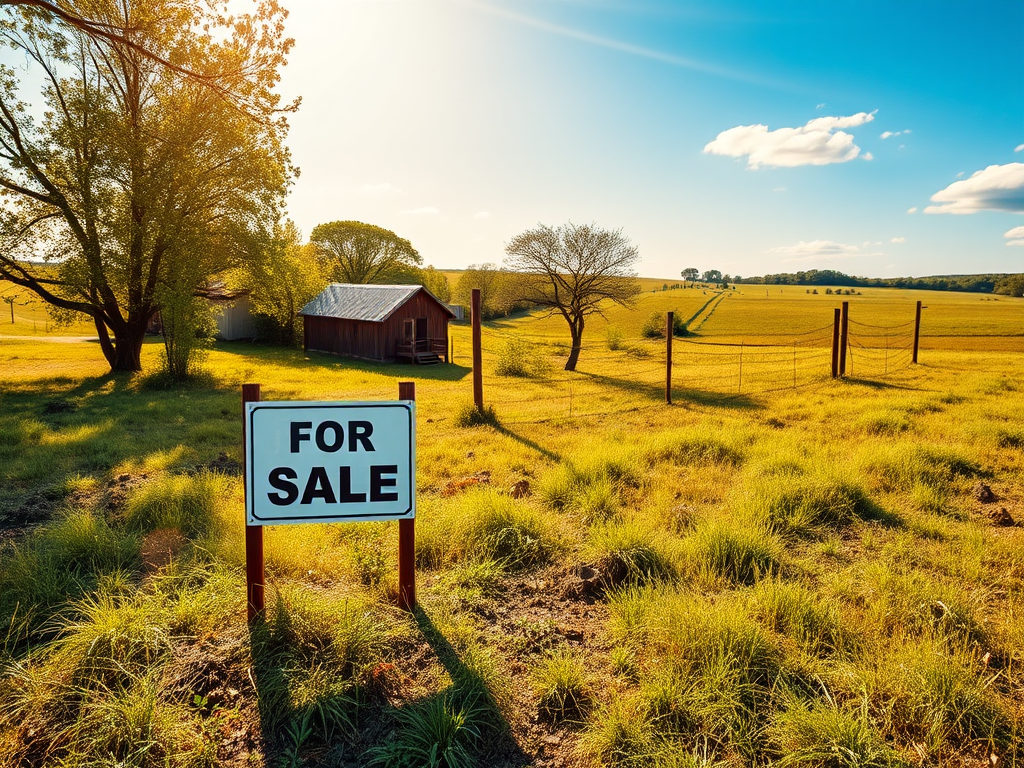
330	462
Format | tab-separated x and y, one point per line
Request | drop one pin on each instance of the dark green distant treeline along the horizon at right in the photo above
1010	285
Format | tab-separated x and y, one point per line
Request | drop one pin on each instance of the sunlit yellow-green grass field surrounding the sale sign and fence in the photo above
788	577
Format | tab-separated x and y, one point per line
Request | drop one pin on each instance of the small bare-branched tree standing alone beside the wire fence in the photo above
575	271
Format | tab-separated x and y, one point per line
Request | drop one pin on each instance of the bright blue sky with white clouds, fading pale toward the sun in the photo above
460	123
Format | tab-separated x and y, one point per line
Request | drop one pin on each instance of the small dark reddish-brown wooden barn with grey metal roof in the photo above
378	323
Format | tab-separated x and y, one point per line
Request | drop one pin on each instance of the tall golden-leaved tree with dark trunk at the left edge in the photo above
139	183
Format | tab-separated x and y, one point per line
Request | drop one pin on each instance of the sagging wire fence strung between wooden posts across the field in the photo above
633	374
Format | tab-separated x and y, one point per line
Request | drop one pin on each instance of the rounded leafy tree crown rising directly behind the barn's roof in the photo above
355	252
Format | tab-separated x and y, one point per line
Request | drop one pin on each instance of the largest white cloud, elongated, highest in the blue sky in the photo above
819	143
